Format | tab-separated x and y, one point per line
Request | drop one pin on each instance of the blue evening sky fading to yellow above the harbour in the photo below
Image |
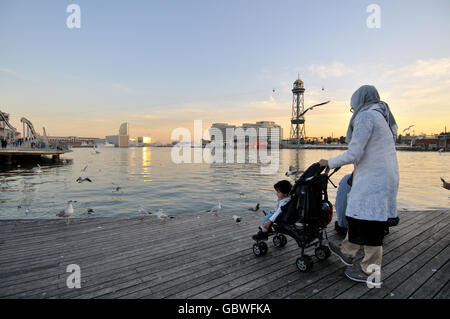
160	65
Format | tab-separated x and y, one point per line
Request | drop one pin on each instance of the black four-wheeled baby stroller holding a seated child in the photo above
304	218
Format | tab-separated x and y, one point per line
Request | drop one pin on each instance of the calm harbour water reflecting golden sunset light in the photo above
148	177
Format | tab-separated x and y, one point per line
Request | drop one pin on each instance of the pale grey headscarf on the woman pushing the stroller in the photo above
365	98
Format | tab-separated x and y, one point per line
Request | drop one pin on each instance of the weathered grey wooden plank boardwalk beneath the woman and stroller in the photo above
203	256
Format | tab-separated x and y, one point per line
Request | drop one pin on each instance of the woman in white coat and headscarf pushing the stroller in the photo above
371	139
